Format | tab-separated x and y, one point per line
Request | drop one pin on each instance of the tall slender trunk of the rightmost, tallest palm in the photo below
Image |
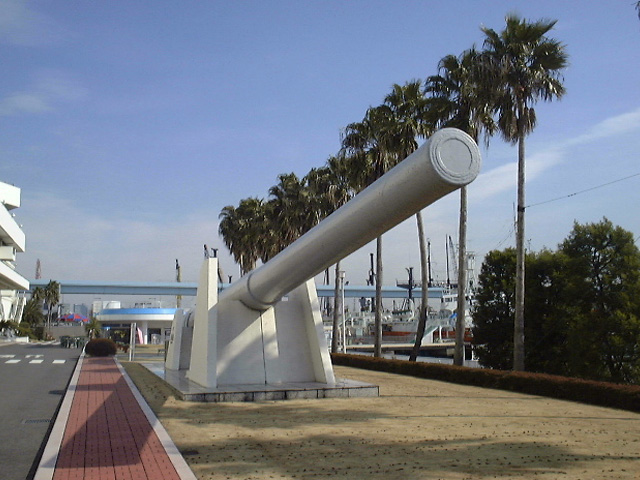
518	327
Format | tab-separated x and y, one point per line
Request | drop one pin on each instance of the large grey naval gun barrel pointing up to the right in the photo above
449	160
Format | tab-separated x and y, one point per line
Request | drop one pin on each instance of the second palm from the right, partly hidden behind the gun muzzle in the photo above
460	99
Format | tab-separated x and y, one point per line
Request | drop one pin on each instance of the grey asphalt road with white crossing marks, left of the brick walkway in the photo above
33	379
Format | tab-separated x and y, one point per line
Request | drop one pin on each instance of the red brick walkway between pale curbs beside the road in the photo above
108	436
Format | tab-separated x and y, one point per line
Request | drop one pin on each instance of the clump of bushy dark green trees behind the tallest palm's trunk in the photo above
583	318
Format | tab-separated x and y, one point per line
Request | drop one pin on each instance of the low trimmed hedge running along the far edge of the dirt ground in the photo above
605	394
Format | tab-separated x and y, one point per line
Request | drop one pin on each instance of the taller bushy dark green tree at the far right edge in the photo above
602	298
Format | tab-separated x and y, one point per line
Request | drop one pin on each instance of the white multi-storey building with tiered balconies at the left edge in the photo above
12	240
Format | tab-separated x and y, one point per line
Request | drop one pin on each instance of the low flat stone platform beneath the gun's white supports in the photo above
193	392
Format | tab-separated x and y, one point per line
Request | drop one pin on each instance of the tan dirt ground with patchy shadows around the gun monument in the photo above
416	429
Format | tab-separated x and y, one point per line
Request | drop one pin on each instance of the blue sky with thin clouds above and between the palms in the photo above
128	125
